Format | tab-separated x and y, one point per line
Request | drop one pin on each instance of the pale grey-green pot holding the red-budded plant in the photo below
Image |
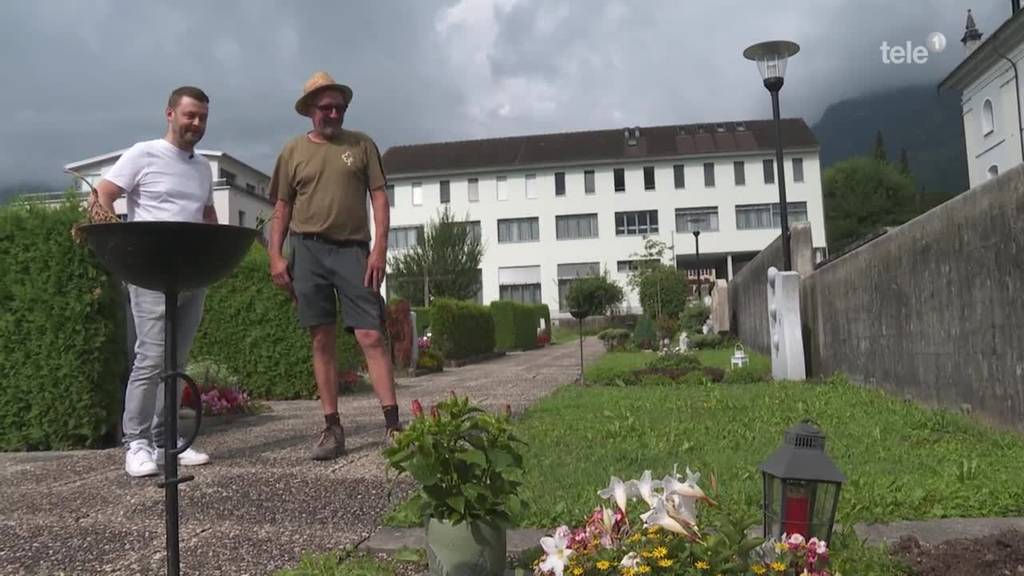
471	549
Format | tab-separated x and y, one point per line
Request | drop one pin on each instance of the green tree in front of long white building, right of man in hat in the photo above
446	262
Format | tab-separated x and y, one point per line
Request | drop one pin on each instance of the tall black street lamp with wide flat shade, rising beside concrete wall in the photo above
772	58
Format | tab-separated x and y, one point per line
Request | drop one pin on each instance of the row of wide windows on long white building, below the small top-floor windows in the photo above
578	227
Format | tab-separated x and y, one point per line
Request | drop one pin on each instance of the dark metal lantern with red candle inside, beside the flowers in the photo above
801	486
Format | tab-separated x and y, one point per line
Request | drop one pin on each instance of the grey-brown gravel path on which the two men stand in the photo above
260	506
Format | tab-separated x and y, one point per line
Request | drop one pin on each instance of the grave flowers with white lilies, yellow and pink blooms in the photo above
667	540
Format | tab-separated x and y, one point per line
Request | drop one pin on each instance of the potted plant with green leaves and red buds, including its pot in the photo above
470	469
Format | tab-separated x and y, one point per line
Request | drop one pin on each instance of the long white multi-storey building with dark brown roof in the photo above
553	208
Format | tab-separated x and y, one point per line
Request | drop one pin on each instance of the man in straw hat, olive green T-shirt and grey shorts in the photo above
320	188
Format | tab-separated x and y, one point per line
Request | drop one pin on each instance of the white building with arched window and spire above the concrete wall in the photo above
990	81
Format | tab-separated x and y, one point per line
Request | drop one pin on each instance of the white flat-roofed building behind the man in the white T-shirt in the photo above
240	192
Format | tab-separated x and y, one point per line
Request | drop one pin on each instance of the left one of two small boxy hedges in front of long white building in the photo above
461	330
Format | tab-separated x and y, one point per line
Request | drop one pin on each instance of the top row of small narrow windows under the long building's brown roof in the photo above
590	186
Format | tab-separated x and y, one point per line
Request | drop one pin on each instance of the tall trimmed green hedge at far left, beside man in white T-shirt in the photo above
62	335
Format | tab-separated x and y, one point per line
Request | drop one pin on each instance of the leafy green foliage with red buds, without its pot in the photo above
466	462
